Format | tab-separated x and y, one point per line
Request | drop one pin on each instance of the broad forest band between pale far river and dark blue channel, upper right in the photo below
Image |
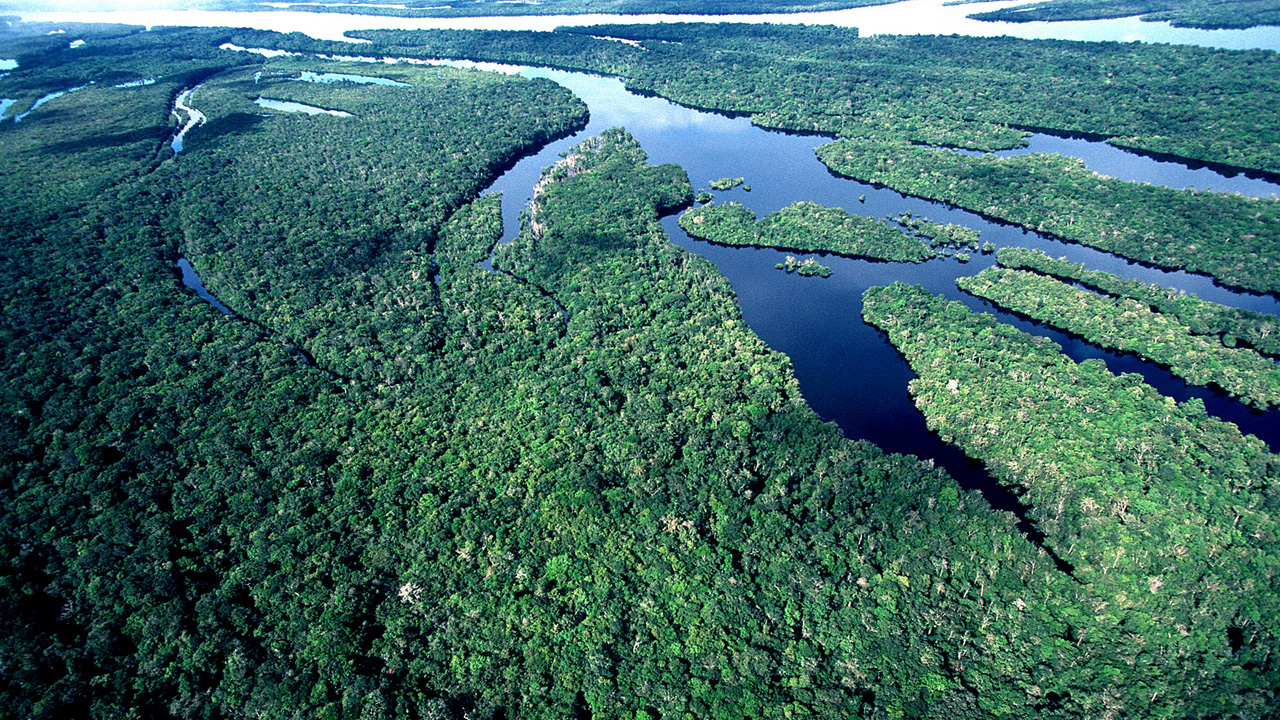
975	93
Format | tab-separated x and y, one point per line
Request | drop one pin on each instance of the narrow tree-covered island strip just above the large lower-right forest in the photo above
1131	326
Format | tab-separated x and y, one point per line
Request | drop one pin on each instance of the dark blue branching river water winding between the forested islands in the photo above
848	372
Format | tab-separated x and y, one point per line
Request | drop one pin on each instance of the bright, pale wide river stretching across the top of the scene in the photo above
913	17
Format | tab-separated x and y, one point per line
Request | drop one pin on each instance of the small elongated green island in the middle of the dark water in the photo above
804	227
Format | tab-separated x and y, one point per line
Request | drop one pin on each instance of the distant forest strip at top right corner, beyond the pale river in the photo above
1209	15
